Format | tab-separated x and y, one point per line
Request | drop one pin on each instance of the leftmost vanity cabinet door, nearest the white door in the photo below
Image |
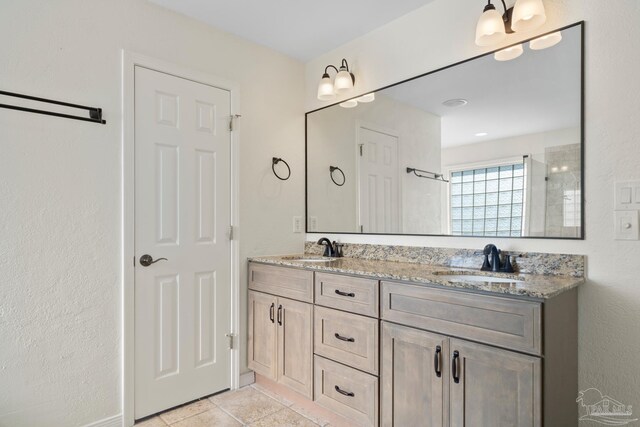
262	331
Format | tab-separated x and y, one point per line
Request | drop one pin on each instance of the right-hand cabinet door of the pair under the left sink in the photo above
295	345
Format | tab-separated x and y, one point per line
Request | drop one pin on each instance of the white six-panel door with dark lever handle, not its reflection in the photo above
182	213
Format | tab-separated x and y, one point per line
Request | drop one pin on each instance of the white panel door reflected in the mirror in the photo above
379	182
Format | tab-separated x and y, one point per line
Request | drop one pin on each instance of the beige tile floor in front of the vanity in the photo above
249	406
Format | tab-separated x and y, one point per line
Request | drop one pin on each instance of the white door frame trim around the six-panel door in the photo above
129	61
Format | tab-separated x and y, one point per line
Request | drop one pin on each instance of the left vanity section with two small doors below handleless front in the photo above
280	332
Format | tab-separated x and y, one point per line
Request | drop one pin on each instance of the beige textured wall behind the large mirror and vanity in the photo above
442	33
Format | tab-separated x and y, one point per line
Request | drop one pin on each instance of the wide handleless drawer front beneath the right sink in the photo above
493	320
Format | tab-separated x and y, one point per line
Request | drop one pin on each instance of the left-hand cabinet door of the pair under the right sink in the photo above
415	377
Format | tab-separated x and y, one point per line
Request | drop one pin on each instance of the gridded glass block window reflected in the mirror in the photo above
488	201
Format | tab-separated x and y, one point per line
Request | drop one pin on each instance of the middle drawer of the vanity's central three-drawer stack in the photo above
347	338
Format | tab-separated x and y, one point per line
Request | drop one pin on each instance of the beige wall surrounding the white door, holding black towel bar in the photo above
60	190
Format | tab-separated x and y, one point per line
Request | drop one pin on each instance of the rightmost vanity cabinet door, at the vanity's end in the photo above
492	387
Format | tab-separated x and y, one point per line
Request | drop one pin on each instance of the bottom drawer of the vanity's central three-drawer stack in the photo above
346	391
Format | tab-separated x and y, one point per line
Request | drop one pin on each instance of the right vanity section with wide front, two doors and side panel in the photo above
477	359
